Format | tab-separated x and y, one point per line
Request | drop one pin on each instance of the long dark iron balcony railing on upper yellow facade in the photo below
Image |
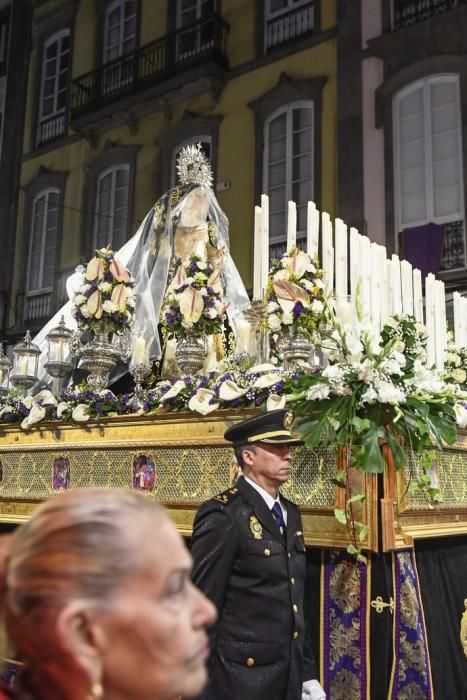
151	63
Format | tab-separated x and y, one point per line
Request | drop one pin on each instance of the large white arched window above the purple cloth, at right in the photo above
428	177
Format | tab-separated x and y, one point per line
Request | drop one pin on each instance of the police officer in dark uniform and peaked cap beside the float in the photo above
249	559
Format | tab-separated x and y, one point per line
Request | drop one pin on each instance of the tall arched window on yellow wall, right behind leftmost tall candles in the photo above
288	169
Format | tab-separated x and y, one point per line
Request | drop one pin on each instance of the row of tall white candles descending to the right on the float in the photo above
387	286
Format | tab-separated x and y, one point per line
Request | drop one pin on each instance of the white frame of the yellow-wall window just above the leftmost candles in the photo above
288	109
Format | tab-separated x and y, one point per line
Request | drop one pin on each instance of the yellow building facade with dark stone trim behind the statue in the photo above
117	87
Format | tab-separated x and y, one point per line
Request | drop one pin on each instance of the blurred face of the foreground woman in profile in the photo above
157	644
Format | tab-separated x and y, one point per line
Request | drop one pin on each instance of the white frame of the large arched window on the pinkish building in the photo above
426	83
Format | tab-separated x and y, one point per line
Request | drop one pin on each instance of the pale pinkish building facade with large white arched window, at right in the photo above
414	76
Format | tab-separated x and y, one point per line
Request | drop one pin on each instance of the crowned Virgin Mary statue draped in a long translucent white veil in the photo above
186	220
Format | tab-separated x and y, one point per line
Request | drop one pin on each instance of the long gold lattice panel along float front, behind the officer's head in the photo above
186	475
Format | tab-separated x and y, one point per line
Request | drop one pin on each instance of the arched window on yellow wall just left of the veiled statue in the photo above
111	207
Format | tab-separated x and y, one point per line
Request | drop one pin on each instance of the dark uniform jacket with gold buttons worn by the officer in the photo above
255	577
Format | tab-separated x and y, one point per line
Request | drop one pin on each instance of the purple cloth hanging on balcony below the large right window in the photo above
422	246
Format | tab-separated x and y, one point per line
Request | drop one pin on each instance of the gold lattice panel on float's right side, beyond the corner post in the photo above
449	475
